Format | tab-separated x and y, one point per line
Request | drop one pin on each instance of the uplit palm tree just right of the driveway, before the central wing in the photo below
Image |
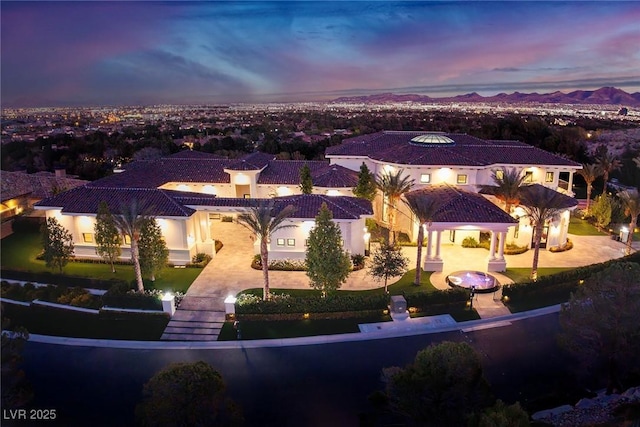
262	223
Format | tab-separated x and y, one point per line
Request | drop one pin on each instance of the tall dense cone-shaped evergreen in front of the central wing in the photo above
328	264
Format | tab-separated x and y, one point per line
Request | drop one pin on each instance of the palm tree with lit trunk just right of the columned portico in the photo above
541	204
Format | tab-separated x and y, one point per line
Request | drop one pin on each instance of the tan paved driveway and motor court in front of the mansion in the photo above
201	314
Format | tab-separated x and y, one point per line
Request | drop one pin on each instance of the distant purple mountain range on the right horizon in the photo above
602	96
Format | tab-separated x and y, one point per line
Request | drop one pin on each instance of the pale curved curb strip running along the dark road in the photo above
292	342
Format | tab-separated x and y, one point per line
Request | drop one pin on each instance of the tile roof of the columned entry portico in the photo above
459	206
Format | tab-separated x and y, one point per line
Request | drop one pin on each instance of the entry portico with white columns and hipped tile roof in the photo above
467	214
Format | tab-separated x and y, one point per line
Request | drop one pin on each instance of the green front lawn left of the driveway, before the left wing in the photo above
19	252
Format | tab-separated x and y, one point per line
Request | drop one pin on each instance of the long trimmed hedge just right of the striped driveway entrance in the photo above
249	304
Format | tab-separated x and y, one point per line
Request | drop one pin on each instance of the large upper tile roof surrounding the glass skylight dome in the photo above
397	147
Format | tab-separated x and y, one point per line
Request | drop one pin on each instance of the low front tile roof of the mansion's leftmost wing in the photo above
85	200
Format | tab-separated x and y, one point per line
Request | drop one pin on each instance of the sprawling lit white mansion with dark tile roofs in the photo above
190	192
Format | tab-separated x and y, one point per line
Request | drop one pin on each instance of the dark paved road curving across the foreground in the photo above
314	385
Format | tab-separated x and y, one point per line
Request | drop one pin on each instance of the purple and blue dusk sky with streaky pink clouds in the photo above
125	53
